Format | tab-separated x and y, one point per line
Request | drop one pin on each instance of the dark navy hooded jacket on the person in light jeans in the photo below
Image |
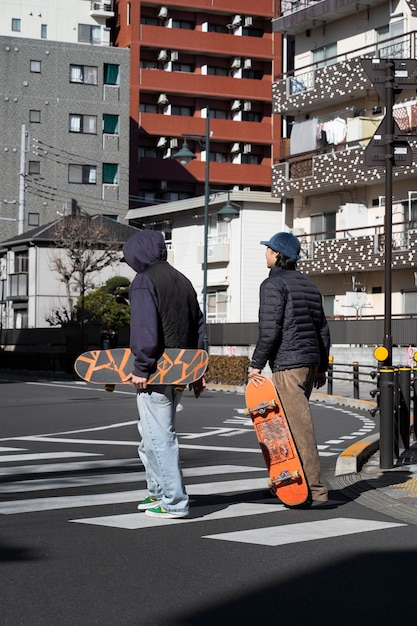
164	312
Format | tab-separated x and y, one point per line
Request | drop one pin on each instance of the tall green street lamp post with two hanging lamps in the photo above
185	156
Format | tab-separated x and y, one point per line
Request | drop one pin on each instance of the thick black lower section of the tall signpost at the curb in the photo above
386	446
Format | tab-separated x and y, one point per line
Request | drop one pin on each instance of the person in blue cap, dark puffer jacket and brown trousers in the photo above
294	340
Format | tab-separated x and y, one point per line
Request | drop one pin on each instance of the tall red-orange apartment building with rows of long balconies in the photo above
191	59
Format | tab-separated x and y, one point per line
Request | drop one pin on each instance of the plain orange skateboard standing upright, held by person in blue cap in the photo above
286	473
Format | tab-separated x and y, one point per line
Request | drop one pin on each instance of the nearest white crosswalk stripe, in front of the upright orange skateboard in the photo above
305	531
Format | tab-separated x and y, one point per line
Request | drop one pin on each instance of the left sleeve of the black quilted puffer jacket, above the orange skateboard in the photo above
272	300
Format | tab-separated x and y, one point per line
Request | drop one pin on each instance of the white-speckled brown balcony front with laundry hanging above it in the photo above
318	172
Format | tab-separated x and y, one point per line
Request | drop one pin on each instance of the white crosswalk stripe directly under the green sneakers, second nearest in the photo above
136	521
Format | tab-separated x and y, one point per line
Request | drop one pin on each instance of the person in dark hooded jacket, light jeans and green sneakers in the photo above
164	314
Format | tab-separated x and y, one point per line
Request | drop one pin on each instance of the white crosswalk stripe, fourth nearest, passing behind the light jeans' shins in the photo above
64	482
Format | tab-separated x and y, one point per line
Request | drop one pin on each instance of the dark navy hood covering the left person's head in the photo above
144	248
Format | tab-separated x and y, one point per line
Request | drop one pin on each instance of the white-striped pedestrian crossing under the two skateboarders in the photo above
96	482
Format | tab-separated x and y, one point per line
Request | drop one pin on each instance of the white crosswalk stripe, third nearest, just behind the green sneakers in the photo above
69	502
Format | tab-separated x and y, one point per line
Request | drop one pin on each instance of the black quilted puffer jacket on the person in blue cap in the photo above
293	330
